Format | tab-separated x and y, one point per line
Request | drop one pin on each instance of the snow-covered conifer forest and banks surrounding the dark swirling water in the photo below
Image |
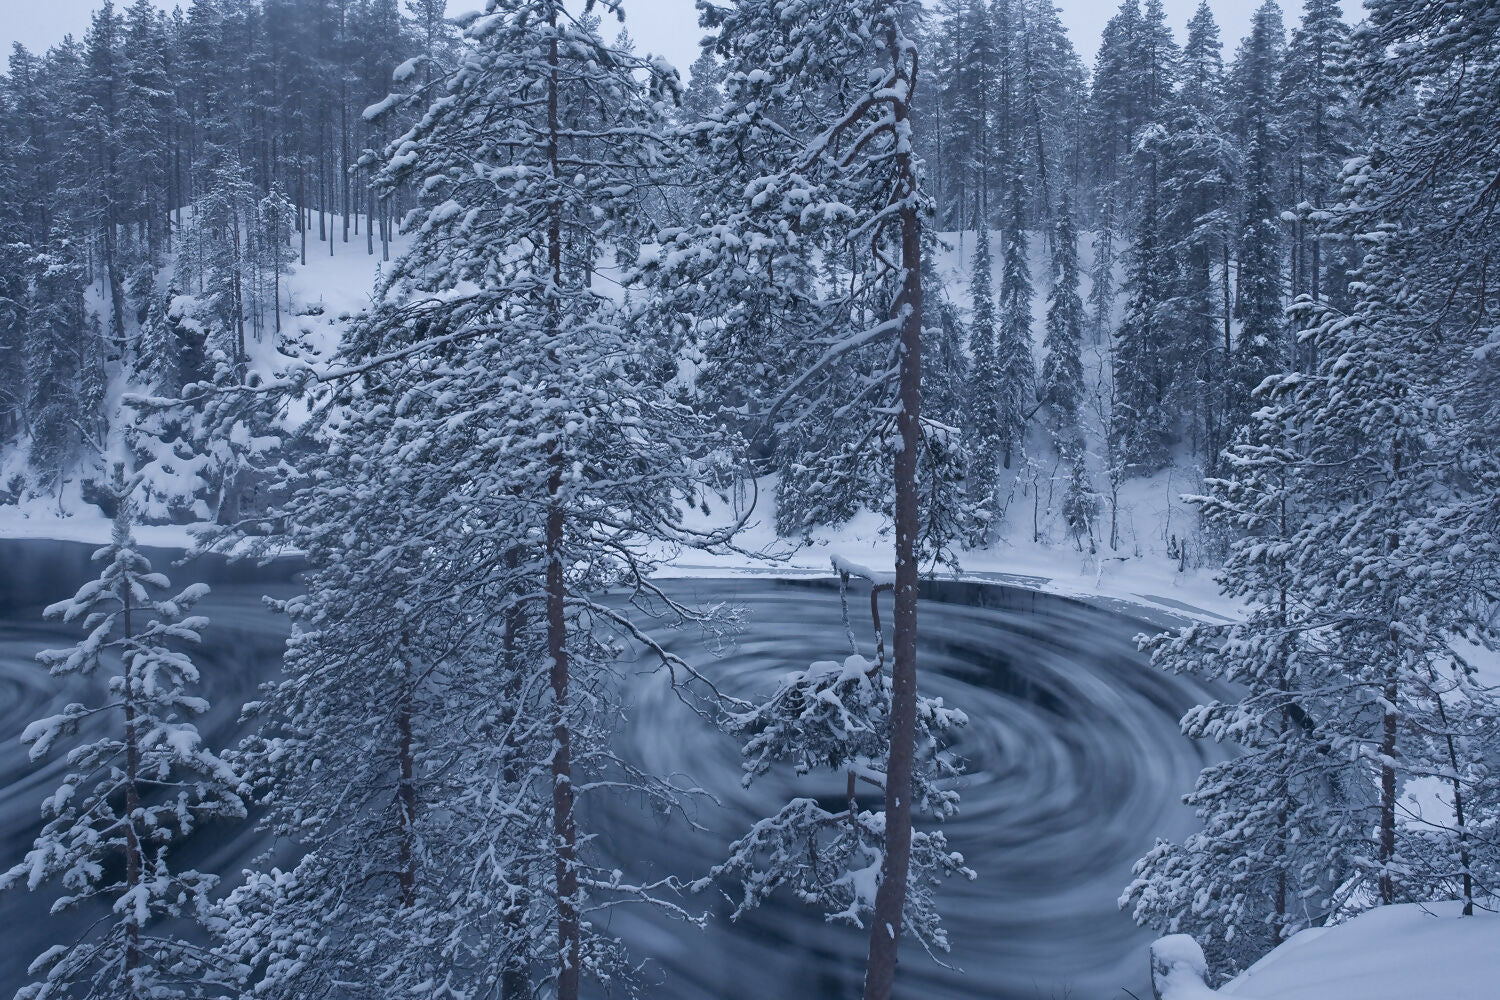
890	272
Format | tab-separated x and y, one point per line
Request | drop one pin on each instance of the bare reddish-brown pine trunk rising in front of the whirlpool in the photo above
890	899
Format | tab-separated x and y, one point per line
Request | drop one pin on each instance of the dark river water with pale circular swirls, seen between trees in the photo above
1073	767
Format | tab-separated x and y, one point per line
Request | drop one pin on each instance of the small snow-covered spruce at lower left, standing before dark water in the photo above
140	780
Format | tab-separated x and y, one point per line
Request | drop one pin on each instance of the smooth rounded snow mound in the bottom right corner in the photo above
1394	953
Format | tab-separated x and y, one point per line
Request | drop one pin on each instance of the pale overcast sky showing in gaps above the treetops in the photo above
662	26
